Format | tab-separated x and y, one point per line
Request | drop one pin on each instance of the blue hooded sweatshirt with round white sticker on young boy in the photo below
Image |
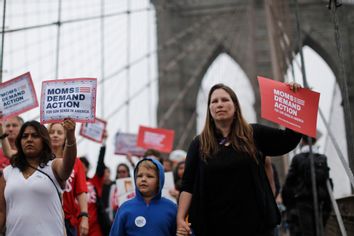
136	217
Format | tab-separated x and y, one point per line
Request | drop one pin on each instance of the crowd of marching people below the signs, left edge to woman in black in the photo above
224	183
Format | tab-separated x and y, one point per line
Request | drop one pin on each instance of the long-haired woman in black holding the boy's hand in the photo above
224	188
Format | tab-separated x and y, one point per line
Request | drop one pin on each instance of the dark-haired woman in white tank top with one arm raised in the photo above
30	189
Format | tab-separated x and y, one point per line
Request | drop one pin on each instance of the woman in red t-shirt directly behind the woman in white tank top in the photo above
74	196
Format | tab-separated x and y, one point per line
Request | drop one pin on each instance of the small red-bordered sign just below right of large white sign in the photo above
94	131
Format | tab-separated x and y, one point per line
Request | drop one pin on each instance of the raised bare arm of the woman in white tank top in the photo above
64	166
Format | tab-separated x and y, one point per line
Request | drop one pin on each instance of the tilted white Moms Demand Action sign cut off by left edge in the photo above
18	95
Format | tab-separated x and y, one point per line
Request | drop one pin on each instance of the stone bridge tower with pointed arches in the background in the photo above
260	35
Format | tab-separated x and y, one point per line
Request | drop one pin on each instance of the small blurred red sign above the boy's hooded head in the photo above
155	138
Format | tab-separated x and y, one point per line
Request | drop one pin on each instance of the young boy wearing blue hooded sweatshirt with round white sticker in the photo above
147	213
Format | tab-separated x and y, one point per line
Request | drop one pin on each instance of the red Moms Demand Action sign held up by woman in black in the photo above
297	111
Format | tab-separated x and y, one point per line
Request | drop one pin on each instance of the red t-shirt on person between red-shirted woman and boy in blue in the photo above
95	182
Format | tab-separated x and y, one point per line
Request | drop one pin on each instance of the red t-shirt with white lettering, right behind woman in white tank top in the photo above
75	185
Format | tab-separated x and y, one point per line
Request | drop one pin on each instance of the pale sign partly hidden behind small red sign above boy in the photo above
126	143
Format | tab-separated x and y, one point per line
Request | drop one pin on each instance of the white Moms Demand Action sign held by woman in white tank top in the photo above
74	98
